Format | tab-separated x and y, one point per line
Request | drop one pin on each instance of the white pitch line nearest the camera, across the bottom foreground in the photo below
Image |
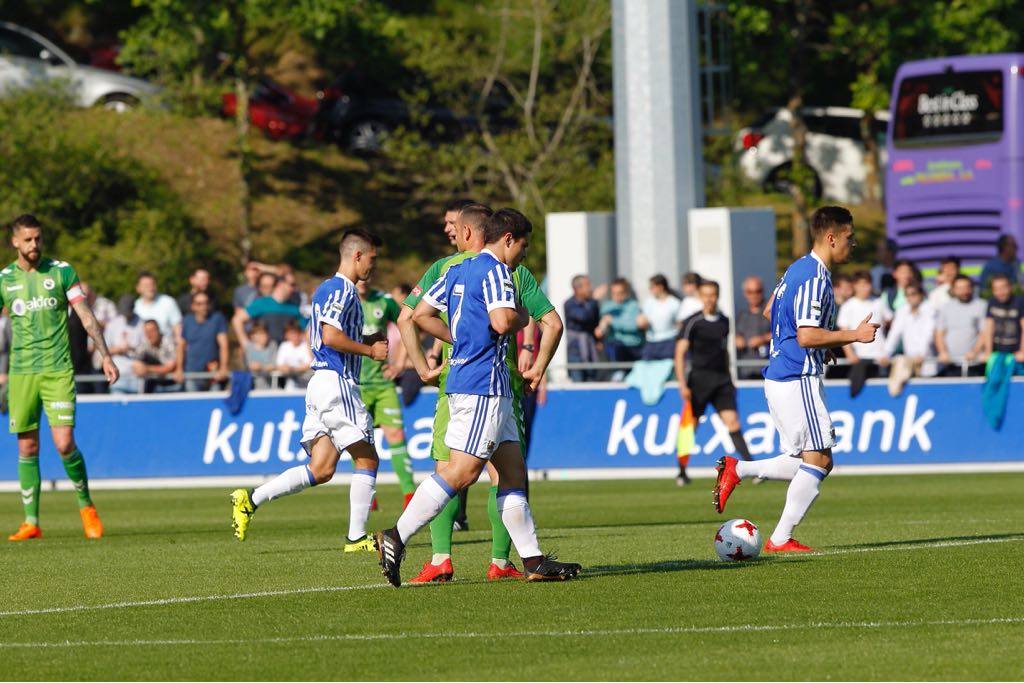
741	628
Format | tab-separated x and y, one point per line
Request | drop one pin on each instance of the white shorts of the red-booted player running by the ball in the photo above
802	420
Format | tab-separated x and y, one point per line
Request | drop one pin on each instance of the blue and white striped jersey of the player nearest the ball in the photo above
803	298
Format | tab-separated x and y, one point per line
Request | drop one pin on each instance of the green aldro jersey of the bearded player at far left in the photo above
37	303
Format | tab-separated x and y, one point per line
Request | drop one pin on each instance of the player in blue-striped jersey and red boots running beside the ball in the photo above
803	325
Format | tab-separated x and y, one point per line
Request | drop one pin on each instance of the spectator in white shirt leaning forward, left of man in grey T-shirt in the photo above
909	344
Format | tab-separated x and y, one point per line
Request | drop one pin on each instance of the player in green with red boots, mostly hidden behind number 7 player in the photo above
470	238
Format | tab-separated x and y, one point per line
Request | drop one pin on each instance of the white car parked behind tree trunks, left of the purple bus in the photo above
835	151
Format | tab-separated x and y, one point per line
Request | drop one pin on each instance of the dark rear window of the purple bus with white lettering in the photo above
950	109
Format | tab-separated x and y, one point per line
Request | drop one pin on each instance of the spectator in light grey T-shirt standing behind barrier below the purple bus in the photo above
959	327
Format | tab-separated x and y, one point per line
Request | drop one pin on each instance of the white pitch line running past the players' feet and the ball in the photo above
338	589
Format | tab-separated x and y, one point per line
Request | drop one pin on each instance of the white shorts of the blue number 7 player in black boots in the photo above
480	424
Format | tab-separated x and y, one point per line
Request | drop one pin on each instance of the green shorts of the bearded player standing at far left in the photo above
29	396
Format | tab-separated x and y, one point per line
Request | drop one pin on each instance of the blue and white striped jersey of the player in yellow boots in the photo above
336	304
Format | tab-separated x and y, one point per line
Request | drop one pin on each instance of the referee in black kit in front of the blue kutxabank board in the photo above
705	337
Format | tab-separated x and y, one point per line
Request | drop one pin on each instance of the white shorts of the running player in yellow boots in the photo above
334	408
